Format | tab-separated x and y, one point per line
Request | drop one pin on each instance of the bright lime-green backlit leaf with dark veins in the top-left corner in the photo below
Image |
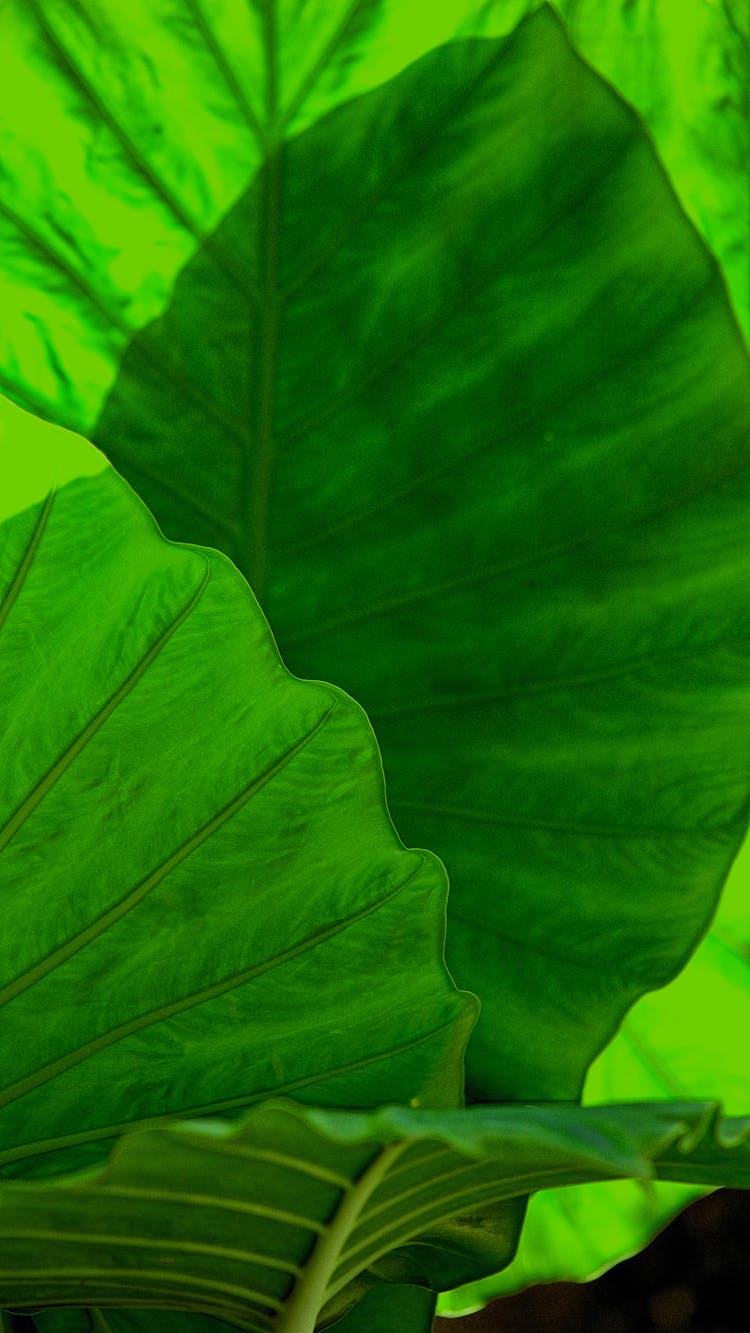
94	234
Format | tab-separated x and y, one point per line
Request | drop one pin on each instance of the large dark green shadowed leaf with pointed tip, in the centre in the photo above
514	527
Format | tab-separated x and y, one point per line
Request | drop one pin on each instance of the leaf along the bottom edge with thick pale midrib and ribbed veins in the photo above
288	1218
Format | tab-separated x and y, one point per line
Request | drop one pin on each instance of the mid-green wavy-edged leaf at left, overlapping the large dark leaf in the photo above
203	896
